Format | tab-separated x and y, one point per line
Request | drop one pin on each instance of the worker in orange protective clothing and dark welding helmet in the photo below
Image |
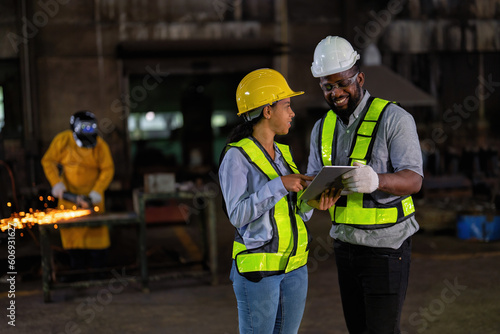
79	162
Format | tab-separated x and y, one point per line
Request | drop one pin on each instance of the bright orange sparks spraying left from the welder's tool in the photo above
22	219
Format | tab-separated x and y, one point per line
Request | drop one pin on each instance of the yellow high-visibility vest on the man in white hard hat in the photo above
357	209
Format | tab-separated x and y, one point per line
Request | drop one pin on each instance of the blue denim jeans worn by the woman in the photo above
273	305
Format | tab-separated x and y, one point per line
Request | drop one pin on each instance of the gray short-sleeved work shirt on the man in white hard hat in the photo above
396	147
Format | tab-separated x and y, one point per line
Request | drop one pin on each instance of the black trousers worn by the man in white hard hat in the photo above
373	283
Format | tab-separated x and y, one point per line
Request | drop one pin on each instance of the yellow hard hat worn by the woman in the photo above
262	87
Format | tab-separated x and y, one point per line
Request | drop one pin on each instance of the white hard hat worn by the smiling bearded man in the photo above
332	55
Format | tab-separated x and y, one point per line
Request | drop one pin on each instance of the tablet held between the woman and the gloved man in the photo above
328	177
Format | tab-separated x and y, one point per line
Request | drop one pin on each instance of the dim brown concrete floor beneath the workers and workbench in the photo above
453	289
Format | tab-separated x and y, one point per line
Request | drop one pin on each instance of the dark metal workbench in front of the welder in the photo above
202	203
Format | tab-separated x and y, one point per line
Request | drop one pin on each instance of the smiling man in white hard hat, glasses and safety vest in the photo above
374	219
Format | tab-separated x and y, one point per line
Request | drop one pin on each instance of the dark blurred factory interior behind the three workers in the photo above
160	77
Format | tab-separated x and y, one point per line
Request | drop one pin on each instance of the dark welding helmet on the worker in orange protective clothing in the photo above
84	126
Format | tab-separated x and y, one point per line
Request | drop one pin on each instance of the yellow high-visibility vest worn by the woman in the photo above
288	248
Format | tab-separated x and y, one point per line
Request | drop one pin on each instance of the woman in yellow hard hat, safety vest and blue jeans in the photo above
260	182
